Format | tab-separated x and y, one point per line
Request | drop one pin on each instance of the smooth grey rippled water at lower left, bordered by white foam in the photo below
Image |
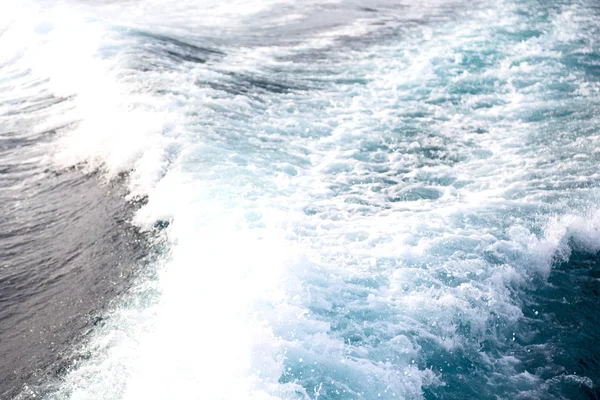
66	249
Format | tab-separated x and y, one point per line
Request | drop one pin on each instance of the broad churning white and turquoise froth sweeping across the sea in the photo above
375	192
